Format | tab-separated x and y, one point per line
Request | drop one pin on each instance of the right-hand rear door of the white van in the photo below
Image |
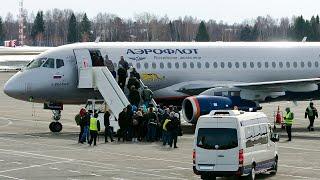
228	153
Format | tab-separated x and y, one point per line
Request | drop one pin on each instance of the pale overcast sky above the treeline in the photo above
229	11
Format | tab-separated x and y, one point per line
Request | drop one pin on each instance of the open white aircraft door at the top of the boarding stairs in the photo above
84	63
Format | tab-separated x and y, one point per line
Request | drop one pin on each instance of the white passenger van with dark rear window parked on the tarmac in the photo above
234	143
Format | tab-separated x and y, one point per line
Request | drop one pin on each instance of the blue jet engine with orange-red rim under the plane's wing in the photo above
195	106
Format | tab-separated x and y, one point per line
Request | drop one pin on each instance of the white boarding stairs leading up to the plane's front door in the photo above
100	78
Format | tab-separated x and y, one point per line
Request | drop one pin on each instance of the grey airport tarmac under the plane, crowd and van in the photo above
28	150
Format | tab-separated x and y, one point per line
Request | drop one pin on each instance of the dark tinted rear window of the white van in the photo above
217	138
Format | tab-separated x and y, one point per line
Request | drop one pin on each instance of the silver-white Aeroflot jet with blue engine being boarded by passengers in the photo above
204	76
